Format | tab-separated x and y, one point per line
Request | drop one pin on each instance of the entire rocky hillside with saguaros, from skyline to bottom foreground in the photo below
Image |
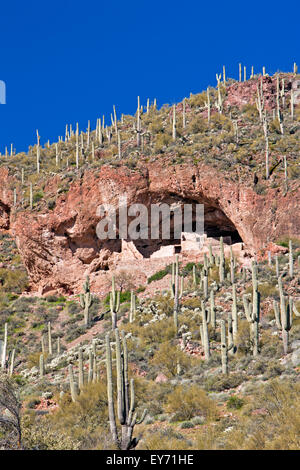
215	362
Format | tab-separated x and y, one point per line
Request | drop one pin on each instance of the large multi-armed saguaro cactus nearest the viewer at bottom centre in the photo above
125	396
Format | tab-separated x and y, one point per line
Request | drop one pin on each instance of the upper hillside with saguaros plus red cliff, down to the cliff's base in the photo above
214	153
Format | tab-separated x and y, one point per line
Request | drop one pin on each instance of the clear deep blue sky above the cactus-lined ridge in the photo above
67	61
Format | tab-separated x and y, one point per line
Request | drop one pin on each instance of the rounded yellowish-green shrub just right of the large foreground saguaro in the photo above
191	401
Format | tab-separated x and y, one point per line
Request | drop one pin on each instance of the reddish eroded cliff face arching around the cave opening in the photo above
60	247
